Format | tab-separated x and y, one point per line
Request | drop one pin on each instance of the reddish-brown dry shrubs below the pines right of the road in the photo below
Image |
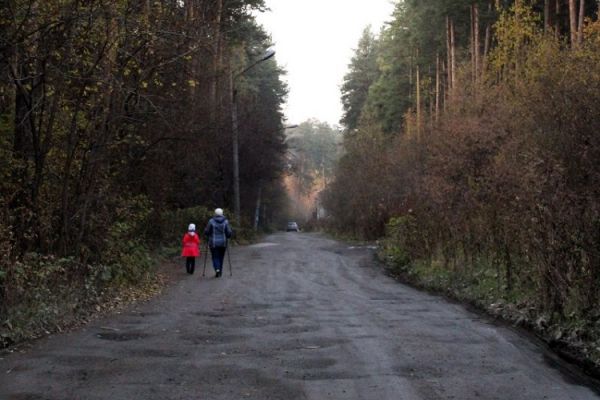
506	183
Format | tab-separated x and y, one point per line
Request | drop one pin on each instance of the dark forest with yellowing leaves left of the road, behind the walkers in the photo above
117	129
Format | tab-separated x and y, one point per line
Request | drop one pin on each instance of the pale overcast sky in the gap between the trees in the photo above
314	42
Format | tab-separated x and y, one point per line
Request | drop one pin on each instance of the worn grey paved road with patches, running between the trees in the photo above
303	317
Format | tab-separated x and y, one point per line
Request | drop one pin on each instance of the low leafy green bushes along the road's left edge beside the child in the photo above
42	293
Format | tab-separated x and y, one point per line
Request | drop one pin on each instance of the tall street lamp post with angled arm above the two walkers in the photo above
234	130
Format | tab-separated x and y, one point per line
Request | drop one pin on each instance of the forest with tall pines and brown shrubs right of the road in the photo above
476	128
